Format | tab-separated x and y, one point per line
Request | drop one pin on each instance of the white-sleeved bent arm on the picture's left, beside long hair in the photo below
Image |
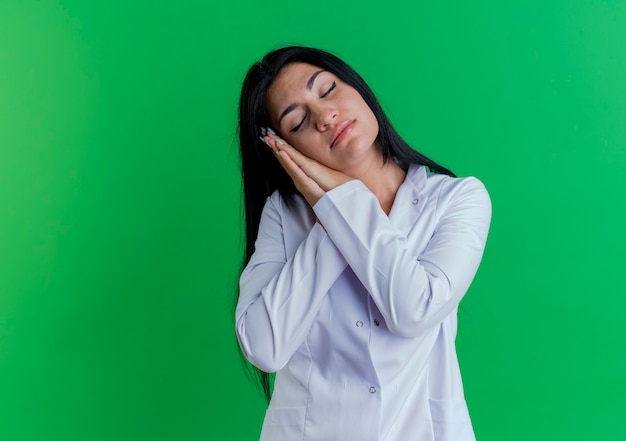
280	294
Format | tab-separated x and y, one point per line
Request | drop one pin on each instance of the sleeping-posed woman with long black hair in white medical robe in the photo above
359	250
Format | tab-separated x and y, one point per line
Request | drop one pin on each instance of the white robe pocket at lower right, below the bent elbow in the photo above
451	421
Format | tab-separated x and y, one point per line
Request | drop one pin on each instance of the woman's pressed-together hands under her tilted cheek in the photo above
311	178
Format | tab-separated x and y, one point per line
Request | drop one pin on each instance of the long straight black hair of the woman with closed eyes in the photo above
261	172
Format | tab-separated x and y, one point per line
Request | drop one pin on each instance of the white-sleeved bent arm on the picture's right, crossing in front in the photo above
413	292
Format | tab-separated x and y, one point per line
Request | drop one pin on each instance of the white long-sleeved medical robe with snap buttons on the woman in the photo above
359	317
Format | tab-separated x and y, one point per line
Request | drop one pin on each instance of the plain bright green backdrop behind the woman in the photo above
120	235
